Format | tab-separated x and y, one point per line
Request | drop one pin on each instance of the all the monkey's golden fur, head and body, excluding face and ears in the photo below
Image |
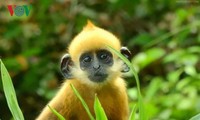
111	92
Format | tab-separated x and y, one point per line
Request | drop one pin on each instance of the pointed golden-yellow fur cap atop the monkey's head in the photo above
92	38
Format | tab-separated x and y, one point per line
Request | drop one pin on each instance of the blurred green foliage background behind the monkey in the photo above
162	35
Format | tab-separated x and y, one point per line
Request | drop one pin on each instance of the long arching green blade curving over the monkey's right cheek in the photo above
142	113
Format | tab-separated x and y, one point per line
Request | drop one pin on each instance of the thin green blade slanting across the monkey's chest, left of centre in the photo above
83	102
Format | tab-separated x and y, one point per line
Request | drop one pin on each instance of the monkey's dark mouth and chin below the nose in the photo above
98	77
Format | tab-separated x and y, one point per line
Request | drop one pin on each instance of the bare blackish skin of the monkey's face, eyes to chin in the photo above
96	64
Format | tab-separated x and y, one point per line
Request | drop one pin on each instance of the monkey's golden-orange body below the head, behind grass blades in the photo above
112	97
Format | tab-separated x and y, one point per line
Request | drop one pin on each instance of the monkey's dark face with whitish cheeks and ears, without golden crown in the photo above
96	66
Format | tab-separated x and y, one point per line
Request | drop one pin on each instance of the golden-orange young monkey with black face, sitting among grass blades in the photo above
93	70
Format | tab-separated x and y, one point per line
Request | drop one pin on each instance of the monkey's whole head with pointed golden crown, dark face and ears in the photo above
89	60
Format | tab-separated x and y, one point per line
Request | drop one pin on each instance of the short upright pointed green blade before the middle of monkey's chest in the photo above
99	111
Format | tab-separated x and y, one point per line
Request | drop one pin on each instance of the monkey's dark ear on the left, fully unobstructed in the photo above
66	63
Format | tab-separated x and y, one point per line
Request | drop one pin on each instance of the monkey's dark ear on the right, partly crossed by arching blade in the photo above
125	51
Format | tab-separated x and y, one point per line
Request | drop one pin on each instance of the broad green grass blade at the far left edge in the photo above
10	93
